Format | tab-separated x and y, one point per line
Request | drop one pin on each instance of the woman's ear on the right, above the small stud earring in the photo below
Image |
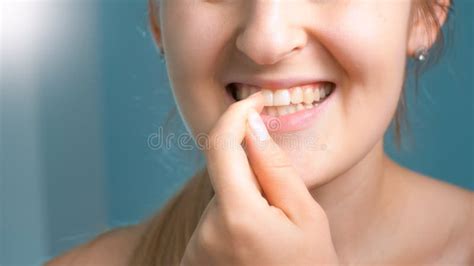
424	30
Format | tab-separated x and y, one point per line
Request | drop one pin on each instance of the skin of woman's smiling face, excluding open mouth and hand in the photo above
359	46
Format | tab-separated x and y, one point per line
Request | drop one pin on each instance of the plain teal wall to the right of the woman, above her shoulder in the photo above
440	143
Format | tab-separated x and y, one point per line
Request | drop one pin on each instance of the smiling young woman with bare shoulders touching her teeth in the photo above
293	98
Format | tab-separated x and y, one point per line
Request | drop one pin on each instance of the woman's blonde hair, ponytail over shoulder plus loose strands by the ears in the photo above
168	232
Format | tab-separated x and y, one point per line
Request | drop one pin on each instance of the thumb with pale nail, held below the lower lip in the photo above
282	186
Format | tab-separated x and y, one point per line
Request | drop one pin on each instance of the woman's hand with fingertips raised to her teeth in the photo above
261	213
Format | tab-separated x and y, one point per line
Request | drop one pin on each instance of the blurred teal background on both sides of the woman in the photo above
77	111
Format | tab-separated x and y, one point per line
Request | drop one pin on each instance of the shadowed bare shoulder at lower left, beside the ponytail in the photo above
113	247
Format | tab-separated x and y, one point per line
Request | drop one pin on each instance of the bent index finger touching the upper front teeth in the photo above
234	182
